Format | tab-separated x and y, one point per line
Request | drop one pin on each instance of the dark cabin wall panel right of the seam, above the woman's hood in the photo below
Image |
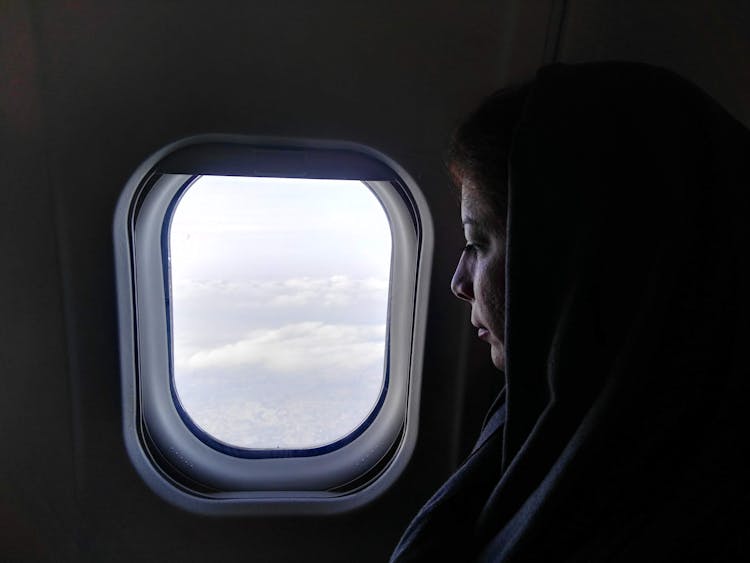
706	42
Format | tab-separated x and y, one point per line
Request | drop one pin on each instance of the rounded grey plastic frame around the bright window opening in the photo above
173	459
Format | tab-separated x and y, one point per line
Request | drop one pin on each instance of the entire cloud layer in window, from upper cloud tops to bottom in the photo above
291	363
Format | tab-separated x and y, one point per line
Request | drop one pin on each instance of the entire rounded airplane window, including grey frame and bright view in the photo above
272	300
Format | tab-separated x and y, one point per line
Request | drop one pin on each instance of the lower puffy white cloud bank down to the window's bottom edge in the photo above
300	385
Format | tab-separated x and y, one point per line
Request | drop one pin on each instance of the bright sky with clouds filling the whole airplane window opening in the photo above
279	306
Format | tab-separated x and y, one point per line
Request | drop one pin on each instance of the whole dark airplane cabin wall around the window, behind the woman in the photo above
88	89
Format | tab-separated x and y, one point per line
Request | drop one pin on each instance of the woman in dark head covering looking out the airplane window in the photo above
605	208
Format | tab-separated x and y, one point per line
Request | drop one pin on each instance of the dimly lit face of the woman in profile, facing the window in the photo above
480	275
